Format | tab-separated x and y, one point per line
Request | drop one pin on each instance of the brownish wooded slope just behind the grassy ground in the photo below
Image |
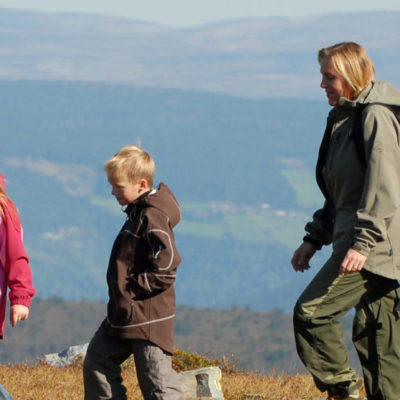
260	341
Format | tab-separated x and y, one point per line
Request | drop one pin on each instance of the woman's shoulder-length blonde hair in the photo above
352	62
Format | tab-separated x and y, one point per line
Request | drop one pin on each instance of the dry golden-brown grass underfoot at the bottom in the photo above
44	382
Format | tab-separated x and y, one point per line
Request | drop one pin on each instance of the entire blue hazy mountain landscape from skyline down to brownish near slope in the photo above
75	88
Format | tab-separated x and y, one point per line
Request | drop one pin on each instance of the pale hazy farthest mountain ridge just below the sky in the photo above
265	57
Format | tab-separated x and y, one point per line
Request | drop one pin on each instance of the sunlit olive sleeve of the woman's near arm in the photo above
381	192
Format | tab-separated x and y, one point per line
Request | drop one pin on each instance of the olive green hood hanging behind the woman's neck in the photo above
375	92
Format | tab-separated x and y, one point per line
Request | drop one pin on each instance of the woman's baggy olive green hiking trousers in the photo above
376	331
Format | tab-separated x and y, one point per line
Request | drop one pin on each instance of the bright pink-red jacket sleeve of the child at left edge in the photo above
19	276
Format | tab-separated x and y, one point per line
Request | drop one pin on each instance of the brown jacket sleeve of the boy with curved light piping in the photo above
163	257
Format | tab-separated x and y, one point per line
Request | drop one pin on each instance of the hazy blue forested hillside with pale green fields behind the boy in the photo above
242	170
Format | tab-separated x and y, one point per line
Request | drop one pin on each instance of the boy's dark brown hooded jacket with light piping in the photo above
142	271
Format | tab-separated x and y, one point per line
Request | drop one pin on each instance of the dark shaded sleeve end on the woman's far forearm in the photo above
320	229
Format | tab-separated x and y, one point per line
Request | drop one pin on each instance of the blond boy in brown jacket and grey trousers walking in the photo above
140	277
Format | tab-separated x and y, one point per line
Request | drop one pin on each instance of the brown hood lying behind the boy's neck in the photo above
161	198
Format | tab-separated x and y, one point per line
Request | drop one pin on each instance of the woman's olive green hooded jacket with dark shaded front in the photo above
363	211
